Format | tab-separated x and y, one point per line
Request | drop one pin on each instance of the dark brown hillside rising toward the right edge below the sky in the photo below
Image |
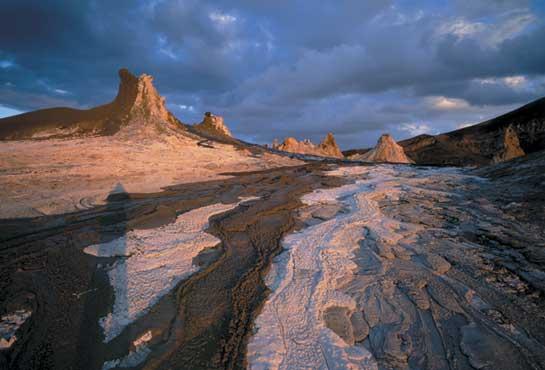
516	133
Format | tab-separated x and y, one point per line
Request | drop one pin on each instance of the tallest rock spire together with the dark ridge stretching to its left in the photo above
137	106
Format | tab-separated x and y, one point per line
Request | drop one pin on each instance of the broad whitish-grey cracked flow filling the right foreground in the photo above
368	283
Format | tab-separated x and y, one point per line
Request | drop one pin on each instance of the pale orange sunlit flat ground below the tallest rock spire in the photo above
42	178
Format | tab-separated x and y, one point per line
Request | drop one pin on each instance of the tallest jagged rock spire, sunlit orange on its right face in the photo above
137	95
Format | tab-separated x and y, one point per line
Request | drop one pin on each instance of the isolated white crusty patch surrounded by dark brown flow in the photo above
152	261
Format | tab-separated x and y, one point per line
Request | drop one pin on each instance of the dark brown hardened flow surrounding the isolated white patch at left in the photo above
202	323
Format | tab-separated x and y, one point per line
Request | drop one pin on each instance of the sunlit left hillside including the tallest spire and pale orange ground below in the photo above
59	160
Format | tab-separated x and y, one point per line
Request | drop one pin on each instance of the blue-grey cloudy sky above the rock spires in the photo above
283	68
